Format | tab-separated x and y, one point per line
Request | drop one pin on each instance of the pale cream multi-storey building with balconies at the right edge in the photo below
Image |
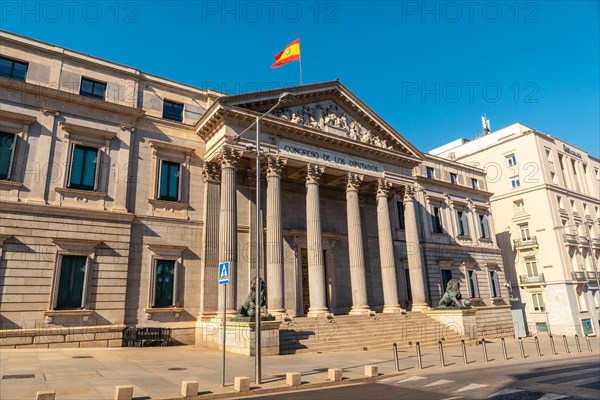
547	214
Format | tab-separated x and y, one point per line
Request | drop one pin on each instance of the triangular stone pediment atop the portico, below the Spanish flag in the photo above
331	109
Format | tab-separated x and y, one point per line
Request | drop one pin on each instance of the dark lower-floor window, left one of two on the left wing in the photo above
71	282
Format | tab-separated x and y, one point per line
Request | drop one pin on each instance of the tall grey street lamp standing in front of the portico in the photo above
285	97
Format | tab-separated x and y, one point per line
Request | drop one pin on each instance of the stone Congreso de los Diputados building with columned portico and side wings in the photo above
122	191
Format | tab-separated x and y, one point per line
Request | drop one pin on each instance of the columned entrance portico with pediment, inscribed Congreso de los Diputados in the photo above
331	166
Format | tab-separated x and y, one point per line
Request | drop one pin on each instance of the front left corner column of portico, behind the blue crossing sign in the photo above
228	159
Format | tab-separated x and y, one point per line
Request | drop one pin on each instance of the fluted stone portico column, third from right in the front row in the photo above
355	245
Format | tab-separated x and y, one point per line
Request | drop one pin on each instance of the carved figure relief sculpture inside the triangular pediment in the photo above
329	117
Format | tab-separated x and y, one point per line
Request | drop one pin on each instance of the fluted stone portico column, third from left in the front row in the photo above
316	268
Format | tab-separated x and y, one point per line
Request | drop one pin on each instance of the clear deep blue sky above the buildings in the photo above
430	70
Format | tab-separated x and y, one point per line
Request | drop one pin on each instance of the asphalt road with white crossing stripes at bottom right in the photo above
546	379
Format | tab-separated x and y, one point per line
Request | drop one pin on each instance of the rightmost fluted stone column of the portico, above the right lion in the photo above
413	250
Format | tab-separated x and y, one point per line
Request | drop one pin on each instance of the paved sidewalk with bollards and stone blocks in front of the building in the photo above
157	373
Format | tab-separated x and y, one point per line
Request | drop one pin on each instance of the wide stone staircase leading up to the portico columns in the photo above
346	333
